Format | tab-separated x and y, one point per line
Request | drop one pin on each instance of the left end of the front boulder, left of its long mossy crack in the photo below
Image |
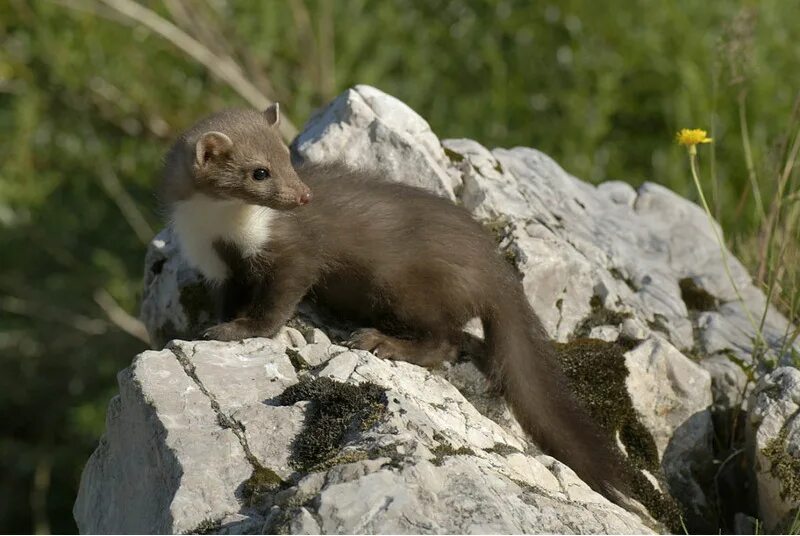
165	463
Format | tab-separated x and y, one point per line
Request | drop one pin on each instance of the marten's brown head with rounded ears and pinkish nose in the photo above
237	155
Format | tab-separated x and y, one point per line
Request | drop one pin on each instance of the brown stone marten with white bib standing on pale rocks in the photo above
411	267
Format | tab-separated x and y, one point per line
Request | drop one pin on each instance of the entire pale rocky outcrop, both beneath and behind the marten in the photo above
628	281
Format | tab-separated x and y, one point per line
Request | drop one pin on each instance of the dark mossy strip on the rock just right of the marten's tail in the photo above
596	373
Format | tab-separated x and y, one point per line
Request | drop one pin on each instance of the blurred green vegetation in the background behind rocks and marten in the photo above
89	101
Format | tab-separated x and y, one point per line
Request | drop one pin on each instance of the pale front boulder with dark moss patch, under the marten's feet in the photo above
206	435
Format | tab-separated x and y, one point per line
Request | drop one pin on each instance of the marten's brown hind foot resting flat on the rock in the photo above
426	352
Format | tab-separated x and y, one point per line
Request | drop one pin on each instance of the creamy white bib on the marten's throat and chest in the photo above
200	221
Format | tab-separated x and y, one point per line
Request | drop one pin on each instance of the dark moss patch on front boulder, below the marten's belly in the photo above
336	409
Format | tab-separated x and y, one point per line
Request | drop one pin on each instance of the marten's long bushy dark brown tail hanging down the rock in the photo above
523	364
